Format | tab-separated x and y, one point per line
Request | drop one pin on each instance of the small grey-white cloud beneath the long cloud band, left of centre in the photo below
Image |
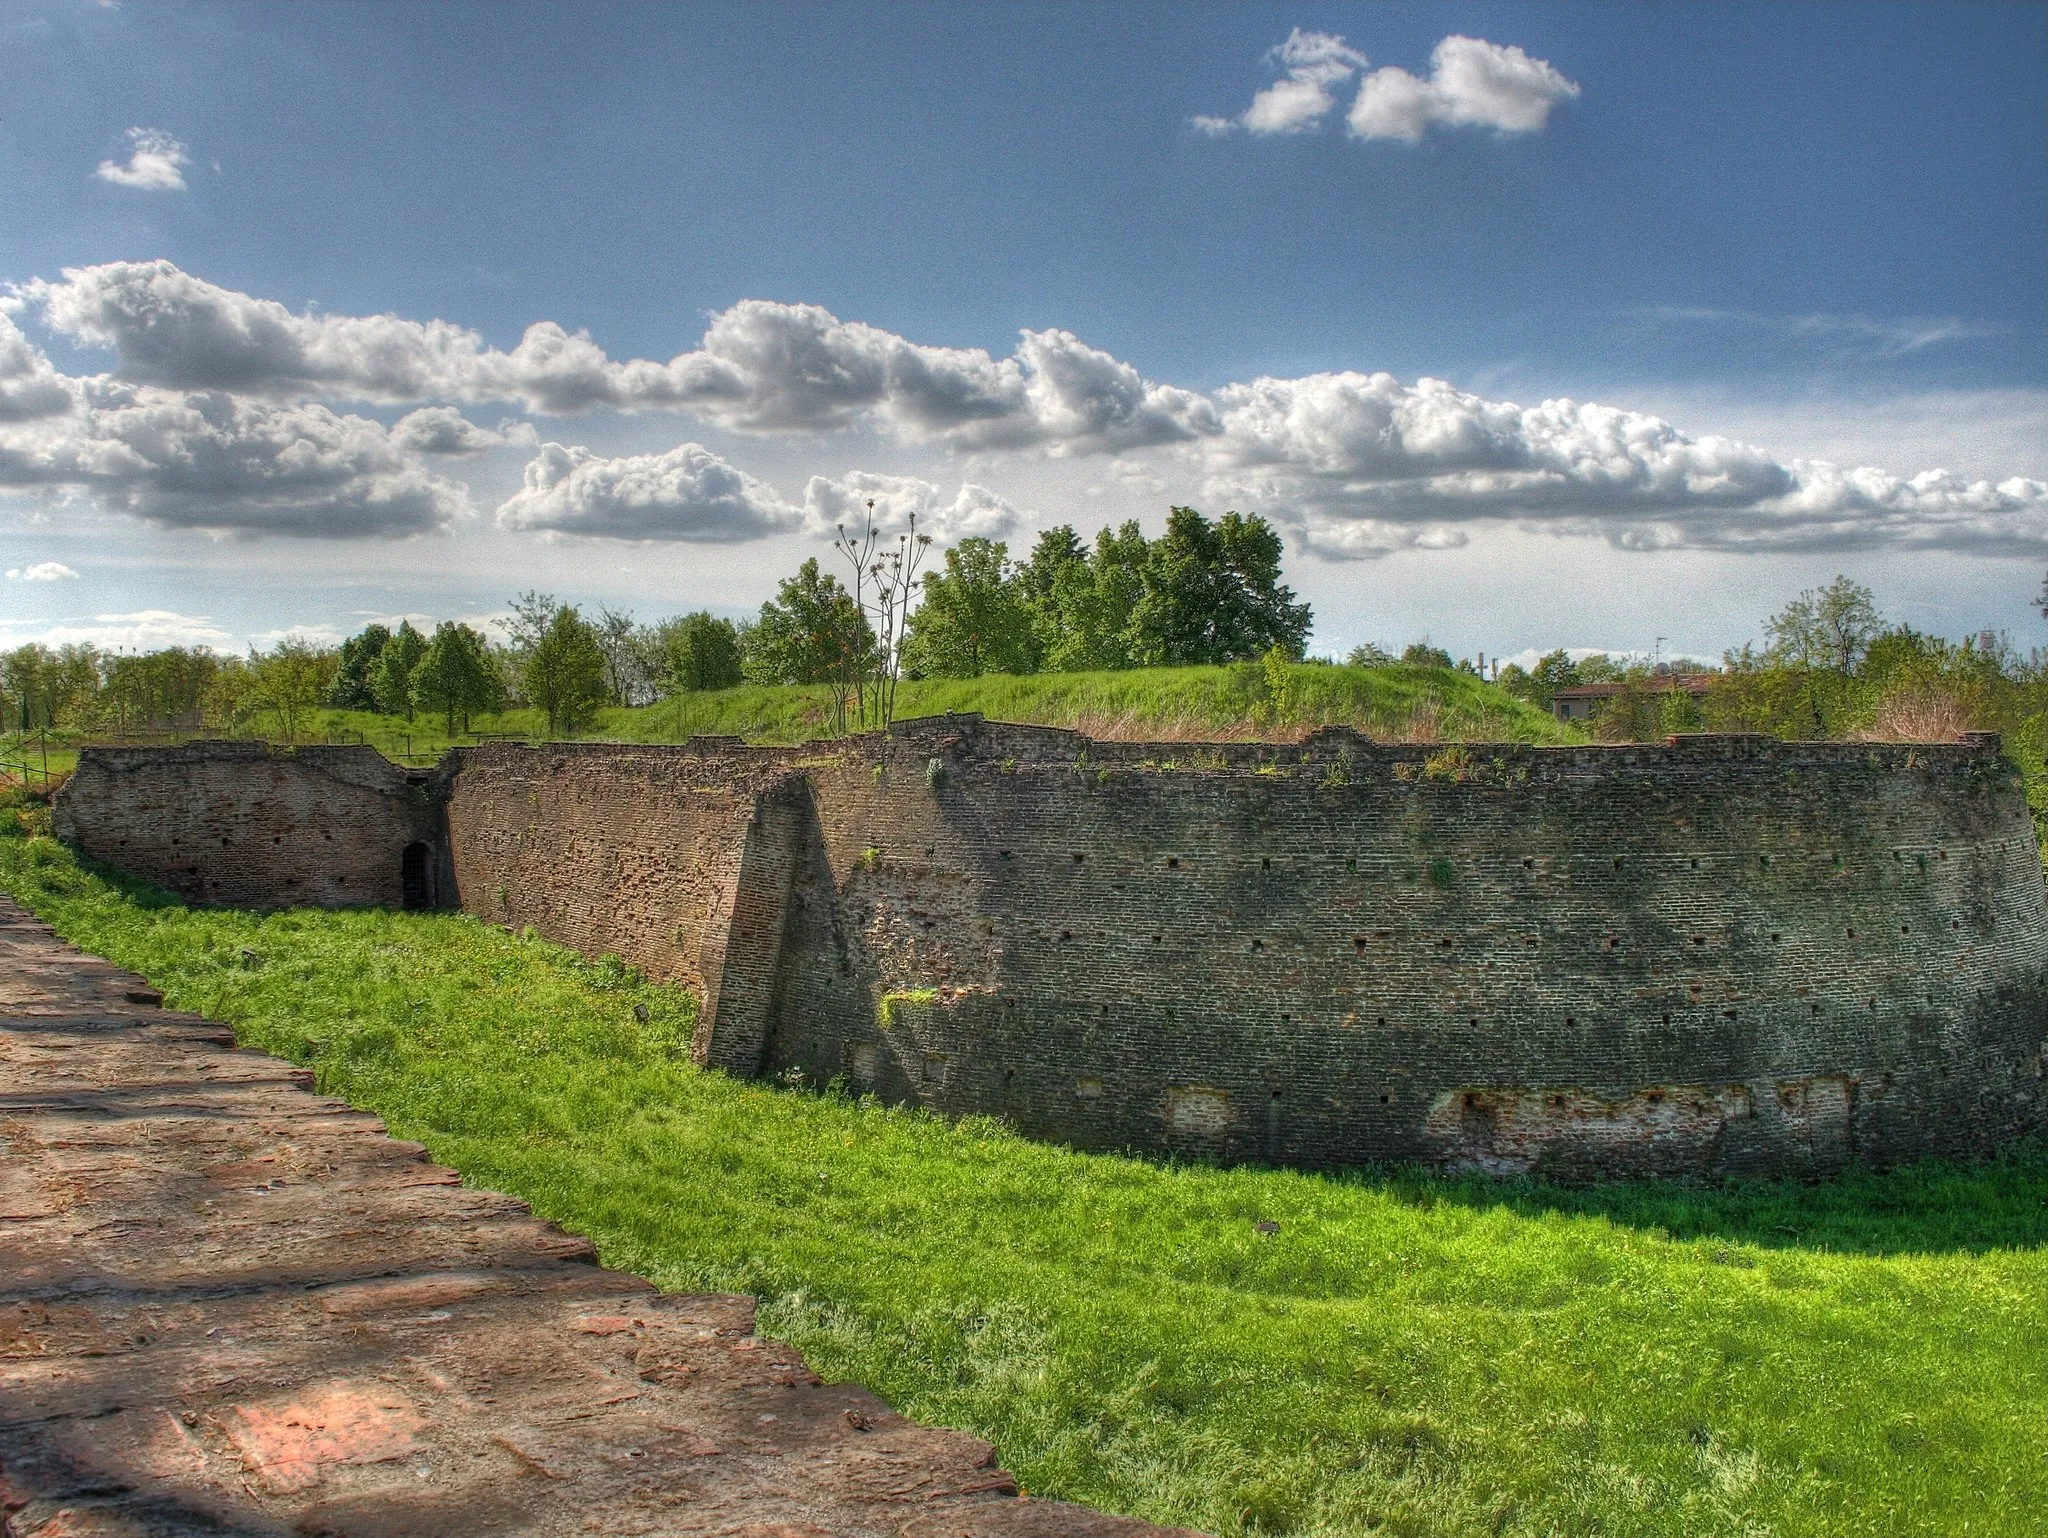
685	495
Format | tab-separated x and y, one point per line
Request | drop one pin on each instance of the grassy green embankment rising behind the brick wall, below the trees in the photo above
1154	701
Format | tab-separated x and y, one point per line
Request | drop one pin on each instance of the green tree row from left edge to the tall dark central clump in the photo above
1205	591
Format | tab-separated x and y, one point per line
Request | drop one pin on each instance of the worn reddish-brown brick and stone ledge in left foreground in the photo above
234	1308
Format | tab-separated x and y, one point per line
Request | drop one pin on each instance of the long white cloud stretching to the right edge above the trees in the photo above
1363	464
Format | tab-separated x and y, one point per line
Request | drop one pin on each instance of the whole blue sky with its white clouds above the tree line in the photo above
1818	232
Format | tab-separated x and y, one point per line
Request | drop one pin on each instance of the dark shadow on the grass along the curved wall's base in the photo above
1928	1207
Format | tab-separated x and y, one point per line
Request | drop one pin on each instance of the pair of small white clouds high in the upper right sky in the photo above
1471	83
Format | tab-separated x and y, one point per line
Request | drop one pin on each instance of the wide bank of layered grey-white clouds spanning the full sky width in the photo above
220	415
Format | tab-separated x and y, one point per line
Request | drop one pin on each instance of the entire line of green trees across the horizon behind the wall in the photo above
1201	593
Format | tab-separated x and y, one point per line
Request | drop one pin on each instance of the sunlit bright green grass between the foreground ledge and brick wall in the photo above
1406	1355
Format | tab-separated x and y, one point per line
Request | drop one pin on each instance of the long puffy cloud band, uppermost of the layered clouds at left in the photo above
763	368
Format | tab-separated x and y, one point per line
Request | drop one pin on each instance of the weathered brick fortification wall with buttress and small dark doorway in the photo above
1721	955
